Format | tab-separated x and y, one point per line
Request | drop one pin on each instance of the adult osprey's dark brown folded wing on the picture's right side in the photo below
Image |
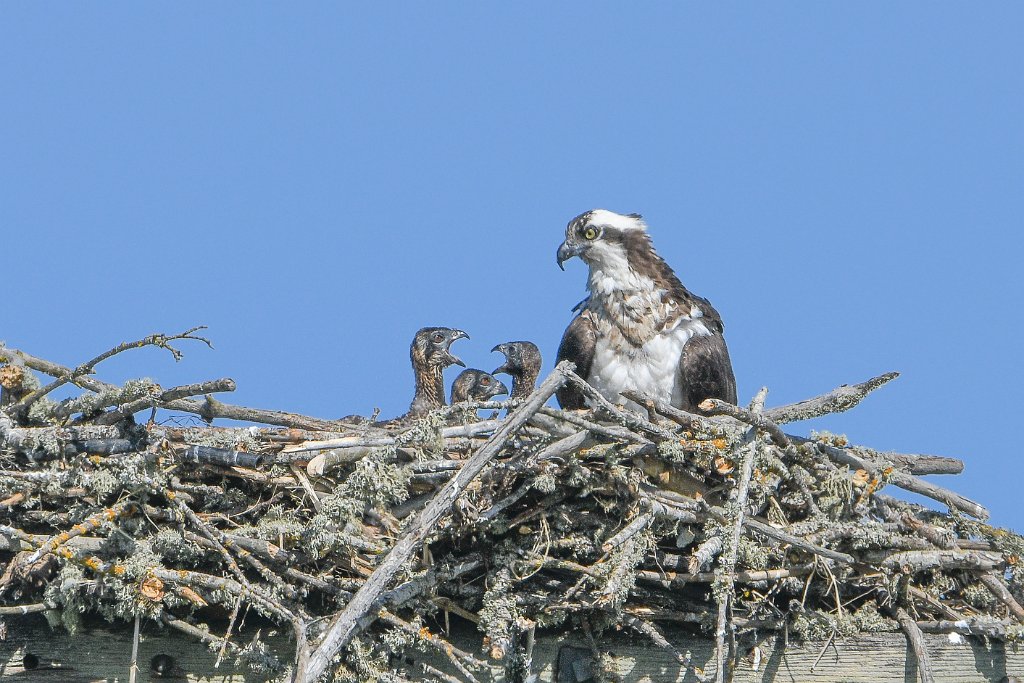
706	370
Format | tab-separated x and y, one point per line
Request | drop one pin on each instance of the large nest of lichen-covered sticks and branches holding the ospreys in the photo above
362	539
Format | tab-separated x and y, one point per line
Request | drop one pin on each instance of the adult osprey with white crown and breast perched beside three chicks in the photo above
641	329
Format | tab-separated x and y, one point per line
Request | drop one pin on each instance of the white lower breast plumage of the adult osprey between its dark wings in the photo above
653	369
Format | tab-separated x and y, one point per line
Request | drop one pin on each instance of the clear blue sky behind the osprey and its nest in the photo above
317	182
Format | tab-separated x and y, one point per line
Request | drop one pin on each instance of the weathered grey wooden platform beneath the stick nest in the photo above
103	655
